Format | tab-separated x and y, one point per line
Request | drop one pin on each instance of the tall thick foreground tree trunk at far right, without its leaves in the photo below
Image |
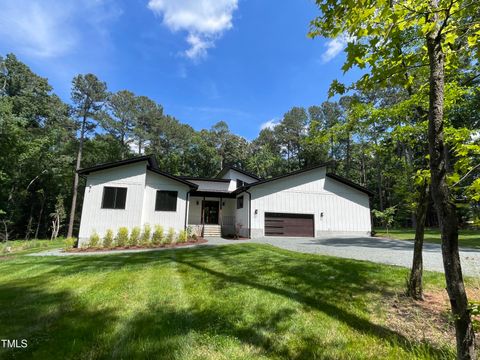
444	205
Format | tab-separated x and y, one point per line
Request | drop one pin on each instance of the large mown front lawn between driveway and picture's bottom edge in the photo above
245	301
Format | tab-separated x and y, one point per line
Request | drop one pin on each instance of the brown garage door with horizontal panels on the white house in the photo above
278	224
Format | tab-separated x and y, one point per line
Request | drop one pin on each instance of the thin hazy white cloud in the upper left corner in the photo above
48	28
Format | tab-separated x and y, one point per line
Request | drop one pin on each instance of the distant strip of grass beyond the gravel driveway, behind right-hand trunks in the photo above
467	238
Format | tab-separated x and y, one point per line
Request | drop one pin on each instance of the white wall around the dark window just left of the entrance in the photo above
167	219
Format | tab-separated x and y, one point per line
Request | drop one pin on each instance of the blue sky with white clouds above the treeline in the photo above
246	62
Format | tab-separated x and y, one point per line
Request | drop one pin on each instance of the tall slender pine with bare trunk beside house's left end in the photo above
88	96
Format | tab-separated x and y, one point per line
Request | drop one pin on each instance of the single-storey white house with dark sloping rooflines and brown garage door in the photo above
309	202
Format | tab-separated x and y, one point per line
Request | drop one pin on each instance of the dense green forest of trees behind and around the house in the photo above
373	137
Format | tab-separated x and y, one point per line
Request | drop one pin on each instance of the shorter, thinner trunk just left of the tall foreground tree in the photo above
415	281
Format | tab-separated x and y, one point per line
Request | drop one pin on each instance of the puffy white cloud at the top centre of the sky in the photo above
203	20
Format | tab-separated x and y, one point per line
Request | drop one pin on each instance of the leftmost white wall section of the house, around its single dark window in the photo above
94	218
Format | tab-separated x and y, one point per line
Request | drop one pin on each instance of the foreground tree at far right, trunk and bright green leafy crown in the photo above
395	39
